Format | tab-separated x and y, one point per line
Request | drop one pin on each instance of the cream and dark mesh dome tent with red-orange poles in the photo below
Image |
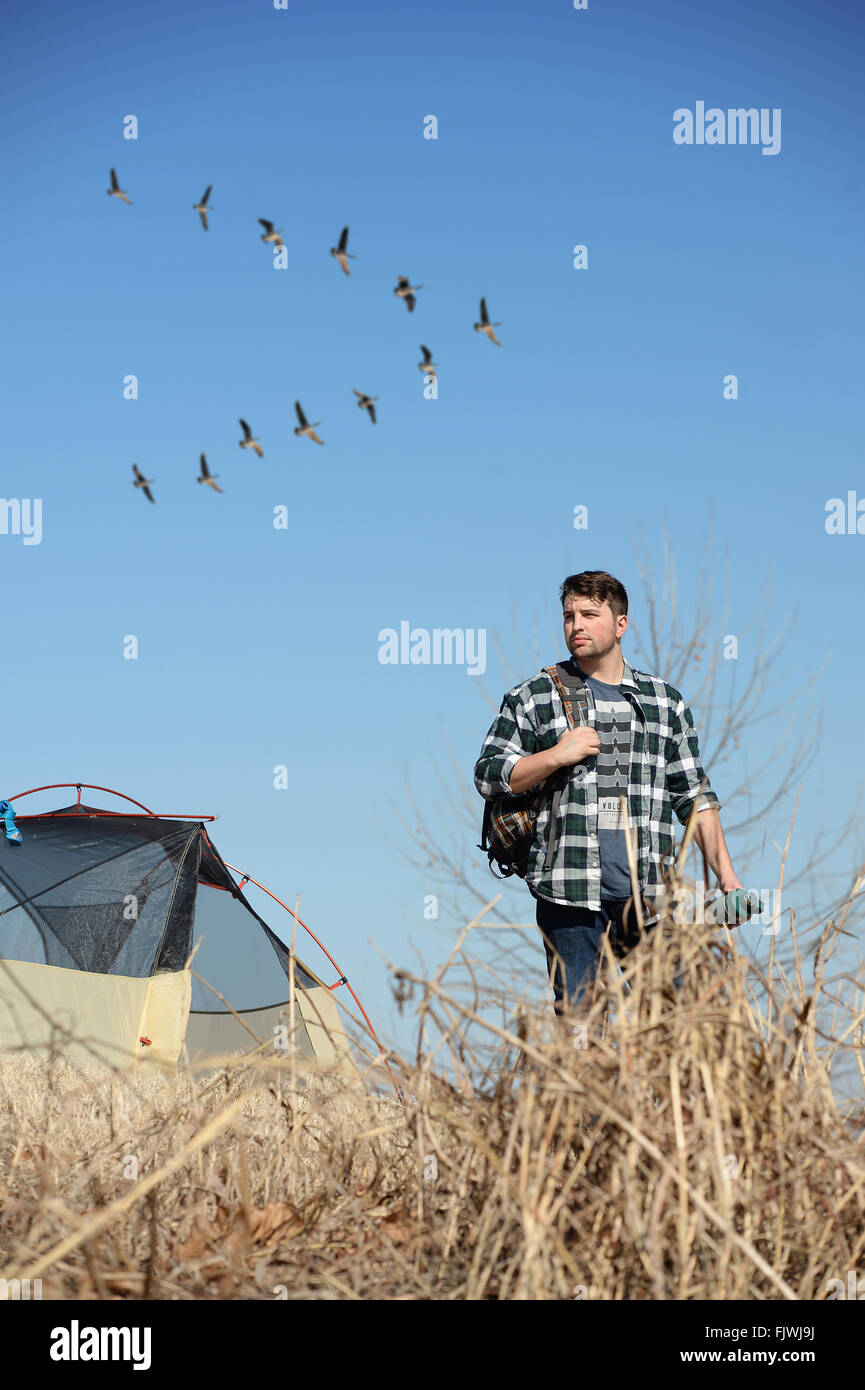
99	915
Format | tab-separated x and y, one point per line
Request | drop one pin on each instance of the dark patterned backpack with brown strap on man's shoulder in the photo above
510	822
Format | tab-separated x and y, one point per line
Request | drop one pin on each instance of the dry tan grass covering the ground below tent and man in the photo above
688	1145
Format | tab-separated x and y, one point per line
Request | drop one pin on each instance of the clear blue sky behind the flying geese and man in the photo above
259	647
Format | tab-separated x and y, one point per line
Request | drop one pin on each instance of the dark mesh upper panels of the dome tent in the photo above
118	894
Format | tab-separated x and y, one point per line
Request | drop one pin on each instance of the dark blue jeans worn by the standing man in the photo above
572	940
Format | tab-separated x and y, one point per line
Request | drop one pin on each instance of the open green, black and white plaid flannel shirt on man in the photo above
665	776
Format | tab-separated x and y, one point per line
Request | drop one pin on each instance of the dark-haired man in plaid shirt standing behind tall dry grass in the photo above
638	742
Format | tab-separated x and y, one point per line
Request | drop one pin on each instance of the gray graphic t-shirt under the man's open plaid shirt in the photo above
614	725
